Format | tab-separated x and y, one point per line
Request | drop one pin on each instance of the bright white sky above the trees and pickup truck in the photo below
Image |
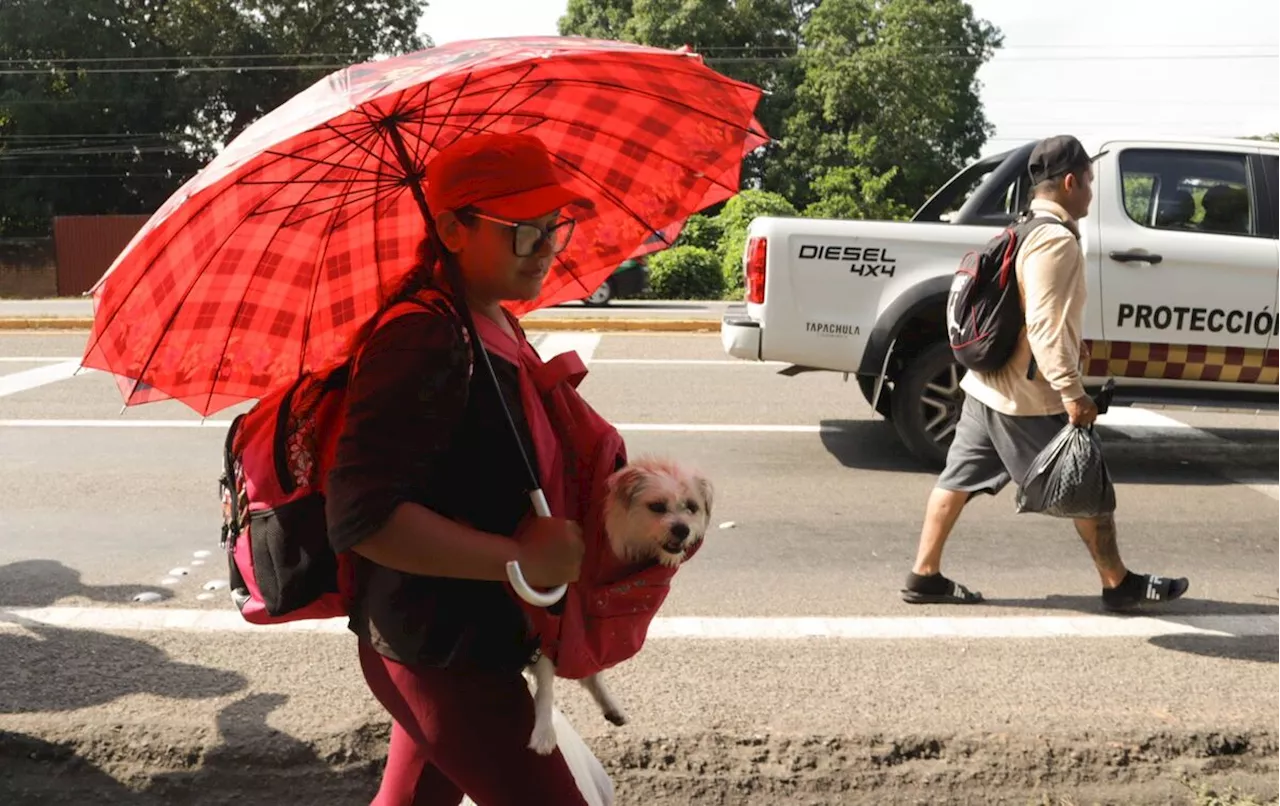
1108	68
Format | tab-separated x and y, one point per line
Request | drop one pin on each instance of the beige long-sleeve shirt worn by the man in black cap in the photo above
1052	282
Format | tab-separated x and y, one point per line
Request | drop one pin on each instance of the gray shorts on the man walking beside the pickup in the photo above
990	450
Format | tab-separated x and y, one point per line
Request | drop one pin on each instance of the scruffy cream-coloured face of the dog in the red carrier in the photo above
659	511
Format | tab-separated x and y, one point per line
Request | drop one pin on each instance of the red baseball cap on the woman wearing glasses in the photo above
505	176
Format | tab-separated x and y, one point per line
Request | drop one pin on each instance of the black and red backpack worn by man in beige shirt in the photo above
985	309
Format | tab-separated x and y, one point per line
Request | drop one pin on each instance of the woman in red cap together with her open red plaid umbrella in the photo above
400	214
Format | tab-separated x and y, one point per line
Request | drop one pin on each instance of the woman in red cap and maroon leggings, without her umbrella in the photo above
428	492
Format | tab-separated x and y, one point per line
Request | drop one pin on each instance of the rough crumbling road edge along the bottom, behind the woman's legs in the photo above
666	771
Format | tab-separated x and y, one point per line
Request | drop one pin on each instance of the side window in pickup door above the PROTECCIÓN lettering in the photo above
1190	191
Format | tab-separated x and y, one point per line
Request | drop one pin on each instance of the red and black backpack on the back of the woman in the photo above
276	461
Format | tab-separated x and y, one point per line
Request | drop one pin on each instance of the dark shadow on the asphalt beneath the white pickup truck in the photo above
875	446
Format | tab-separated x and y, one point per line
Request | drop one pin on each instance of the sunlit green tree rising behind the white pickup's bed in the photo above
889	106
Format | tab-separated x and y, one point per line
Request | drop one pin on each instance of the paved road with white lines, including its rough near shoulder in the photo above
820	509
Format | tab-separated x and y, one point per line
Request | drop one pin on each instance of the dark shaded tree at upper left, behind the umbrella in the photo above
109	107
